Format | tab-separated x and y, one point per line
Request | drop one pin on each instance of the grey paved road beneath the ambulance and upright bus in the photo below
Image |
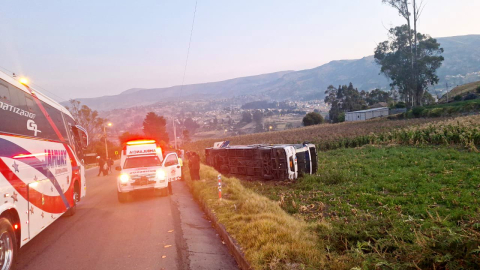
147	233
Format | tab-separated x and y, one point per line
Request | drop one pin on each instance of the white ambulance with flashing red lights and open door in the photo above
144	166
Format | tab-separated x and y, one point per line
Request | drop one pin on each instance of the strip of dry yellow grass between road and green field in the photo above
269	237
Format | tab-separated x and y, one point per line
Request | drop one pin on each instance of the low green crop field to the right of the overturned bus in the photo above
396	207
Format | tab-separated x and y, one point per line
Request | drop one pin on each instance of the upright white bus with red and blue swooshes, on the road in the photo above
42	175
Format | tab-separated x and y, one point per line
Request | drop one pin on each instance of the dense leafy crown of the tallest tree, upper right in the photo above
395	58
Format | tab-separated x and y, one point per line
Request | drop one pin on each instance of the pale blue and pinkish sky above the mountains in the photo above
92	48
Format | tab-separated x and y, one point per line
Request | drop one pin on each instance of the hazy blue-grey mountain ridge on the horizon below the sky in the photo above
462	59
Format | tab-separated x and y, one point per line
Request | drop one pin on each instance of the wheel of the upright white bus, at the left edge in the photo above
8	244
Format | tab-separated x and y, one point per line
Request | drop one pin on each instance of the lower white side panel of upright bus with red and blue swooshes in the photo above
40	173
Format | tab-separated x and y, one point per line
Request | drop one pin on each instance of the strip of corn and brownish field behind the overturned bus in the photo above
464	131
